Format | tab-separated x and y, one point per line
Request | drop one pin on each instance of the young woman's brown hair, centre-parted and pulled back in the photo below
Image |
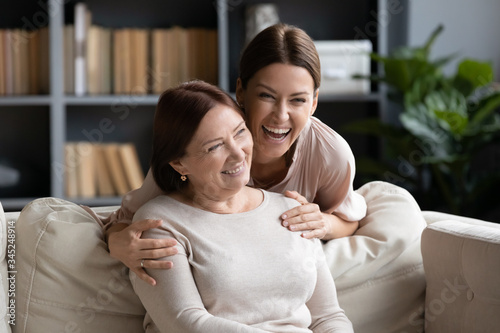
280	43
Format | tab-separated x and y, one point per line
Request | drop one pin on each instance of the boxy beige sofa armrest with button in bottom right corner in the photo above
462	271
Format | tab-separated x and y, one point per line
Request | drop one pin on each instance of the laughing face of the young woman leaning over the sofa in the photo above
278	101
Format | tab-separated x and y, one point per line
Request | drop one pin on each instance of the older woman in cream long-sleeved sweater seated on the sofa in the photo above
238	269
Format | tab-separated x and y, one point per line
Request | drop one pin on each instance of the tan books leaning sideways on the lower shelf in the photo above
100	170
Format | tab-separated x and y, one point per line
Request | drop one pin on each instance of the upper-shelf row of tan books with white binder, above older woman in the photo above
100	60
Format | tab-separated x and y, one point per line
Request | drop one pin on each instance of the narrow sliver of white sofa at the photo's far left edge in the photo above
4	282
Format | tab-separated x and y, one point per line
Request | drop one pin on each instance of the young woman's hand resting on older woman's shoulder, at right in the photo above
313	222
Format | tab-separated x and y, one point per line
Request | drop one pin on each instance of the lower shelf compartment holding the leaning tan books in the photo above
119	138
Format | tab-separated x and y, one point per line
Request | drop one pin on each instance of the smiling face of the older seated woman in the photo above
218	157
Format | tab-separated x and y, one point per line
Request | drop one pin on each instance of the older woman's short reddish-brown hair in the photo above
178	114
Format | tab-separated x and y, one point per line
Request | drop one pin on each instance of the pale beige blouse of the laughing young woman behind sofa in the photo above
322	170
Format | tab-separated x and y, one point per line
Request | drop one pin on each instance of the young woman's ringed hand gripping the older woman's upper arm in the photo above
125	244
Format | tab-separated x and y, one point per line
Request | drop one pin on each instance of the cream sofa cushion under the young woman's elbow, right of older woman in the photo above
378	272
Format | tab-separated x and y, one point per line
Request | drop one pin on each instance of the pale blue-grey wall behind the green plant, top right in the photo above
471	28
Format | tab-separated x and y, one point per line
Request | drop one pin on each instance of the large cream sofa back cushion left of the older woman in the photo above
66	280
